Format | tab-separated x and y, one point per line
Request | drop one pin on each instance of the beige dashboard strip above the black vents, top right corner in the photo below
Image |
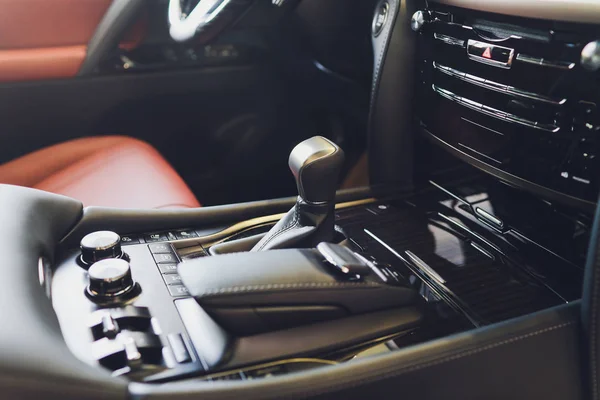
581	11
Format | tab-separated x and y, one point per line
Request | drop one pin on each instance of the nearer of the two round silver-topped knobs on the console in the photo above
110	279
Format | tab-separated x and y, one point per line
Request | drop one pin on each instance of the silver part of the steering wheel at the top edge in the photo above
206	19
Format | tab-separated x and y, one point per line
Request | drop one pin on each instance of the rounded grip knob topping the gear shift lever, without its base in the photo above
316	164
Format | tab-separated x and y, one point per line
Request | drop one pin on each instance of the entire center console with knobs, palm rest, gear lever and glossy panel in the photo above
320	285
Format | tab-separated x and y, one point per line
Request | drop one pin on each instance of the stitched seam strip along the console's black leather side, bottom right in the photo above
401	371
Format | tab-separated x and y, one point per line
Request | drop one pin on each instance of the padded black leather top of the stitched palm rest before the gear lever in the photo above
284	277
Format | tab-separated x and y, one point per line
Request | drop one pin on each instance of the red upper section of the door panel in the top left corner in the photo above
47	39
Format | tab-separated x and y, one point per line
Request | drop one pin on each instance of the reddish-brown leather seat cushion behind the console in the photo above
111	171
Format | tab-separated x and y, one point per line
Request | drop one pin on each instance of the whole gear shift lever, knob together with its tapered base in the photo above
316	164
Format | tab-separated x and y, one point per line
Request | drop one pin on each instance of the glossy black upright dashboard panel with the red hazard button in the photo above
533	121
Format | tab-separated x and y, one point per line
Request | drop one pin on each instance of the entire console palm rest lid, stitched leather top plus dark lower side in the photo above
292	282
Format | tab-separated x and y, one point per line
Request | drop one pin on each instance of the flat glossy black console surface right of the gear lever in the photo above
486	274
